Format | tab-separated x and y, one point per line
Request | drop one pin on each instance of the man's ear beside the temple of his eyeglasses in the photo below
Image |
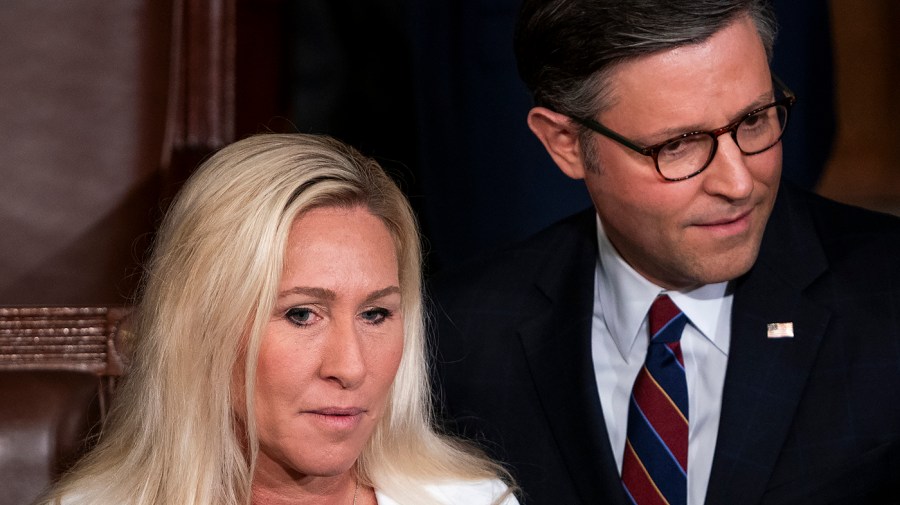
560	137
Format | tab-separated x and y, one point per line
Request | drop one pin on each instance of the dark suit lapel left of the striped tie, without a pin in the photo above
557	344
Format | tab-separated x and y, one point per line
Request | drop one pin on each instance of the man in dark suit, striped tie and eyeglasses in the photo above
789	356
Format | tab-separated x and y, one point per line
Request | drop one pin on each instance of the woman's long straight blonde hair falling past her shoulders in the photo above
209	290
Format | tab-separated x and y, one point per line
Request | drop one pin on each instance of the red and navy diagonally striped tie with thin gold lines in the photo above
654	469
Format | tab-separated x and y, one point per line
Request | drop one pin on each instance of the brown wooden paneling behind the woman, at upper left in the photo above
104	108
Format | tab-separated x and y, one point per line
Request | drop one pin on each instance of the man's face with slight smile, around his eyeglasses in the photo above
708	228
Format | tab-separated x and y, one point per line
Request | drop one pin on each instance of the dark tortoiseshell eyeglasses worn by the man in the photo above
688	154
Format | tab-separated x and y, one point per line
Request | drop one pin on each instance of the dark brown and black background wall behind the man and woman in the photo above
96	102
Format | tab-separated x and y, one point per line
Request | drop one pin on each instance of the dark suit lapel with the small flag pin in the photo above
766	376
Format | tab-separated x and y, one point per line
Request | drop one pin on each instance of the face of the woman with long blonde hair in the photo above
331	348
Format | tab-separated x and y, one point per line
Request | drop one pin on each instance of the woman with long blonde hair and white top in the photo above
279	353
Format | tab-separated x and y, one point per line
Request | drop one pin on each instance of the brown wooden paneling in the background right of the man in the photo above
865	165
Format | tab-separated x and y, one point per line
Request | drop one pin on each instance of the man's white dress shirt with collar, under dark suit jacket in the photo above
619	341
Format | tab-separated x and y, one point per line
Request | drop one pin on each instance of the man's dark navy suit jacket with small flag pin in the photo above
812	419
